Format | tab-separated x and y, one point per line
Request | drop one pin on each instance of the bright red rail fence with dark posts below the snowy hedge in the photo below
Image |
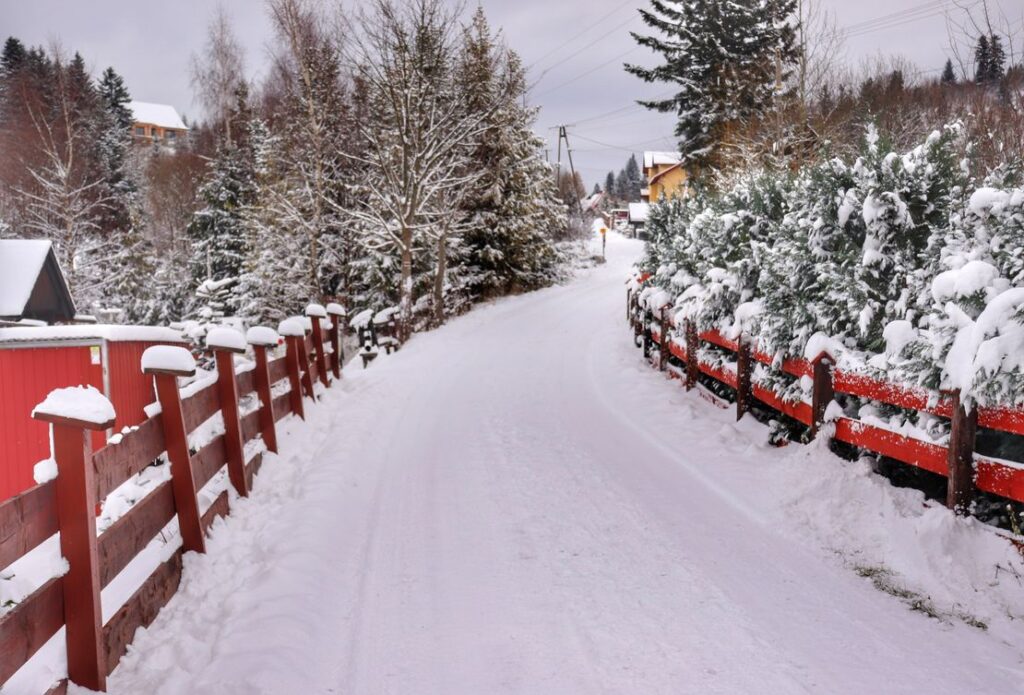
966	471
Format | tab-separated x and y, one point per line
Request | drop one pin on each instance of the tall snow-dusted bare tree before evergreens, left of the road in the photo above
420	135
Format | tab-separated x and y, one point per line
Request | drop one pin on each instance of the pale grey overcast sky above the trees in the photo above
575	49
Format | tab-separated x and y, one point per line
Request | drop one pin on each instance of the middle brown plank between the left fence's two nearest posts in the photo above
129	536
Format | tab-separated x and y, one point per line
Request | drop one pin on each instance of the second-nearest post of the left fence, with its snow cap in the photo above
177	441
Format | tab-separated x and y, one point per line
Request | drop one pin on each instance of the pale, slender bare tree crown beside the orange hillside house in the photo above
217	73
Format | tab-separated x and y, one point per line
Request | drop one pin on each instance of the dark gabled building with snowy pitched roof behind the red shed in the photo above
32	284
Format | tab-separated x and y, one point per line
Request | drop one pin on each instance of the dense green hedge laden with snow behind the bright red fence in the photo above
910	267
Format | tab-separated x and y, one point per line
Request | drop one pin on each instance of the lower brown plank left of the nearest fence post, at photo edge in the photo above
27	628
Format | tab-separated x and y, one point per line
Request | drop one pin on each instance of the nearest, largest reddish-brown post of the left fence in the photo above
76	499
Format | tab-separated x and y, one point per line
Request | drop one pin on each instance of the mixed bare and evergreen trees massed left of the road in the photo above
390	163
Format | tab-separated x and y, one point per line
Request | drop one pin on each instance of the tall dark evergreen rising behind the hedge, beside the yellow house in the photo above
724	59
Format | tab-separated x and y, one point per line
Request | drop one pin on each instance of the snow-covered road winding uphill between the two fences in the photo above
488	513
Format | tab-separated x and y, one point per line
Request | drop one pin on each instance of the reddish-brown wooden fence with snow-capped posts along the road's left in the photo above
68	504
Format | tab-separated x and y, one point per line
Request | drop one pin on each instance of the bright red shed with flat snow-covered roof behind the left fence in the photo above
34	361
